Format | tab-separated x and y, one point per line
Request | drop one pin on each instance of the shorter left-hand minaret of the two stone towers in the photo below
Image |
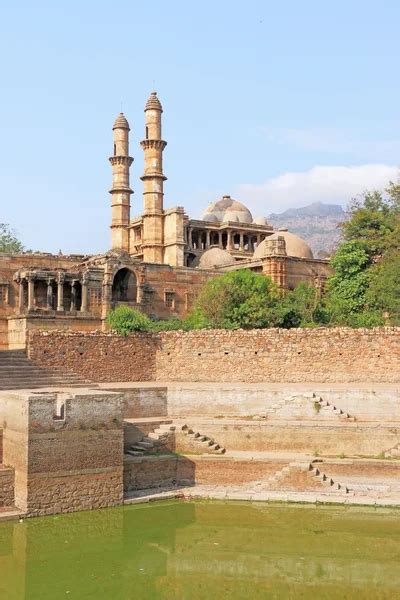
120	191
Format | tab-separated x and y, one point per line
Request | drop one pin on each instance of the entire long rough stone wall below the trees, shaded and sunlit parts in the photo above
271	355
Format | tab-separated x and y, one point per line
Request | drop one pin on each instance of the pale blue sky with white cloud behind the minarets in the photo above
278	104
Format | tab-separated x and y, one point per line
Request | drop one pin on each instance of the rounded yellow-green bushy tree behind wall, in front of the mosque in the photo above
238	299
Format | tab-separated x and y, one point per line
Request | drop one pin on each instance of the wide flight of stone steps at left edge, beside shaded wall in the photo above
18	372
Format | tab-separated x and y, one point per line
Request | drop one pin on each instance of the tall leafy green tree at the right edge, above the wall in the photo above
365	287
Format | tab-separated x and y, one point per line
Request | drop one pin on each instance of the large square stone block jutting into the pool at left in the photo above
68	459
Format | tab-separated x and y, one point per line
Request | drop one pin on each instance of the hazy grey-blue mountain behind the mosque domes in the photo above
317	223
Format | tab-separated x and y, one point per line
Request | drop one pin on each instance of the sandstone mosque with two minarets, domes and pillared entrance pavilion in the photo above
157	262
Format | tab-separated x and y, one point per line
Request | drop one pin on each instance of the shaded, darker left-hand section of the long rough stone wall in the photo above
96	356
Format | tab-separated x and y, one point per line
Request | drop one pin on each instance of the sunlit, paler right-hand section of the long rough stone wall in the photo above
280	355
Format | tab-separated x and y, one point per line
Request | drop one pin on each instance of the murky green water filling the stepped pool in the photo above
204	550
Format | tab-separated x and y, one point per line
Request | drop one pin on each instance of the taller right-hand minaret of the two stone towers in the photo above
153	179
